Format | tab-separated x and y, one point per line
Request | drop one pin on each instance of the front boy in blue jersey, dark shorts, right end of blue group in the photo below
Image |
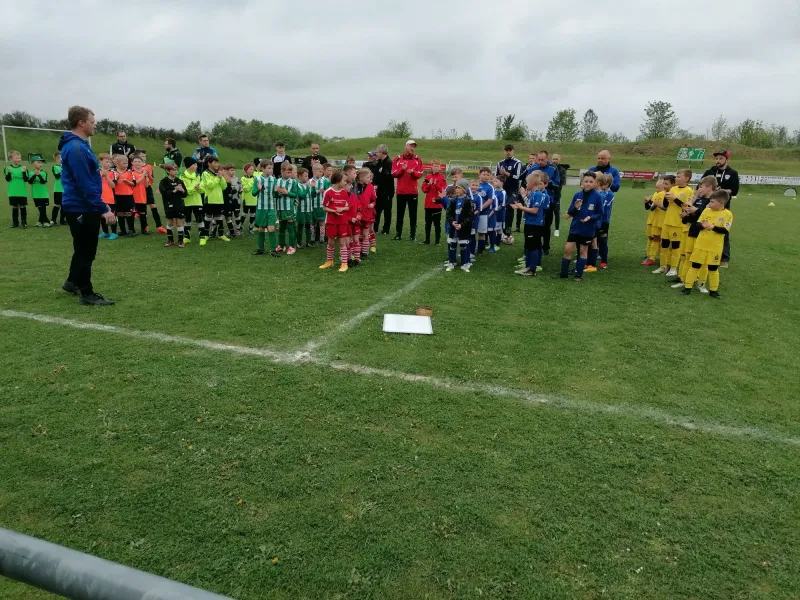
584	210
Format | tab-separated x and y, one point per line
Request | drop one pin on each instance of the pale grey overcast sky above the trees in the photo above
346	71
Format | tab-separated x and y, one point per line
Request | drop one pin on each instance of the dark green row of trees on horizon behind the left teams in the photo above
231	132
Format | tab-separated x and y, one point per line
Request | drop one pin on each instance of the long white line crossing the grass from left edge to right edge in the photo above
642	413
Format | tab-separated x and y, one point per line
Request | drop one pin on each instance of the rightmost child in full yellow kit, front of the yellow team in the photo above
715	221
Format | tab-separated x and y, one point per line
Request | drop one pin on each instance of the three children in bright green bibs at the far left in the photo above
19	177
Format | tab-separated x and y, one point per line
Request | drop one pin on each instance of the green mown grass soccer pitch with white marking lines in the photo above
609	439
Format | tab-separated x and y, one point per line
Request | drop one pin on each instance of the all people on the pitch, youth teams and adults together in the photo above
287	207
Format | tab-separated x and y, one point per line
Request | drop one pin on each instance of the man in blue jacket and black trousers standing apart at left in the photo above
82	204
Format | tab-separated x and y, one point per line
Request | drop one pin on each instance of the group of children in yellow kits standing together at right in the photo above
686	231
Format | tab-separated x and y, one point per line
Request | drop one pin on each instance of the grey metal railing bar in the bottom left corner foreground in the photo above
81	576
